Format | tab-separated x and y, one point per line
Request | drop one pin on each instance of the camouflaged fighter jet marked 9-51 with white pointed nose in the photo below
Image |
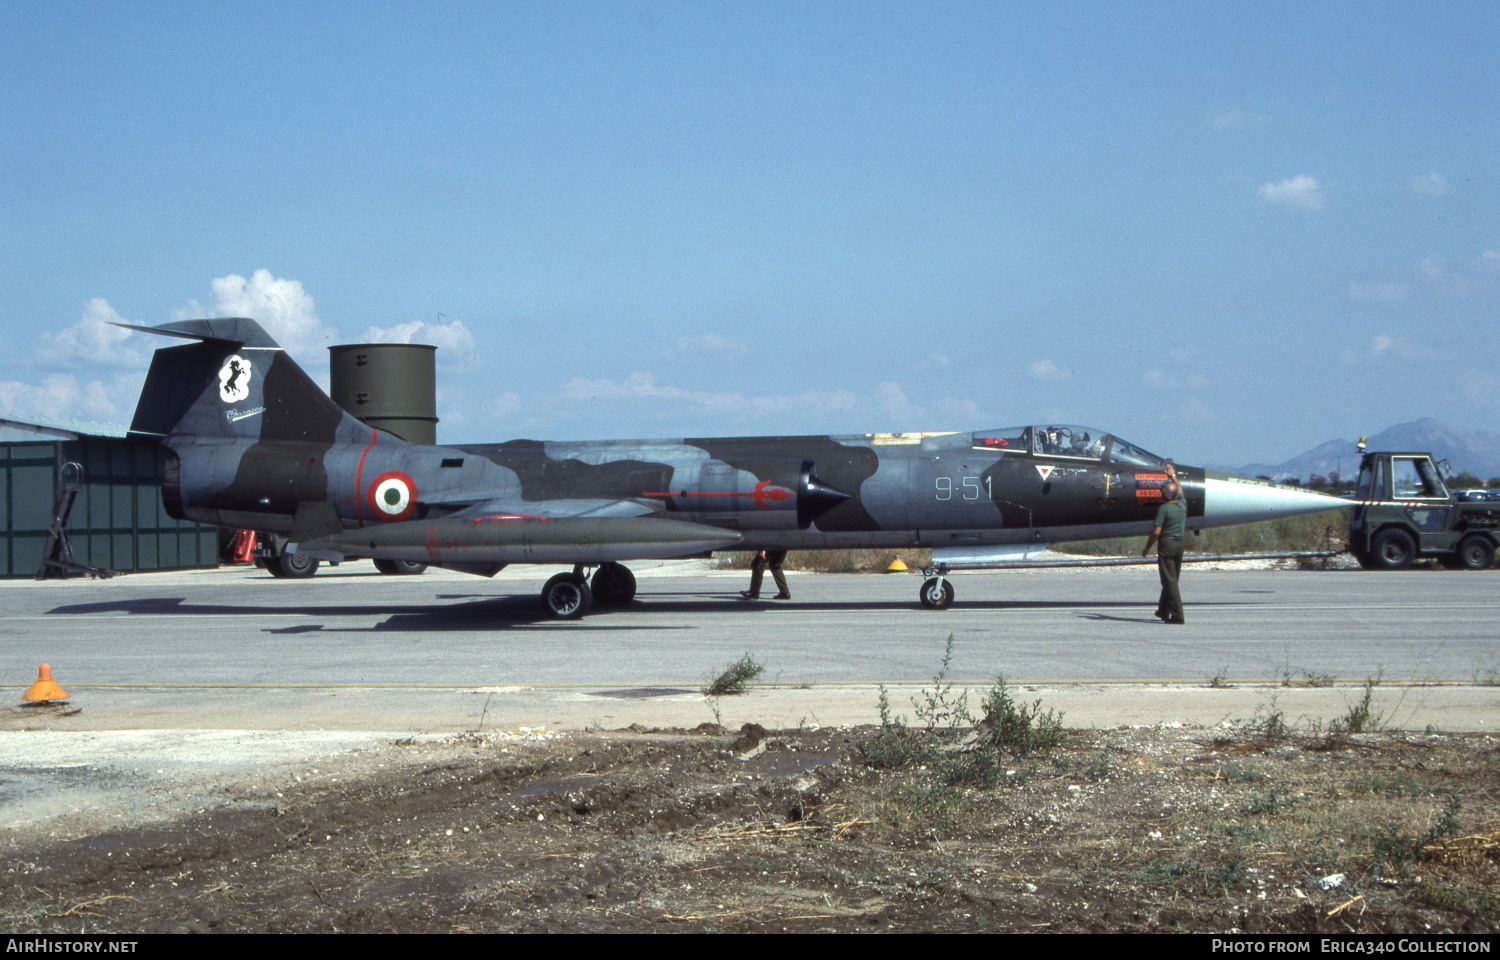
257	445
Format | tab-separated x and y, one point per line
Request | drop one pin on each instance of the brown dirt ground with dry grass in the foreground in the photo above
1124	830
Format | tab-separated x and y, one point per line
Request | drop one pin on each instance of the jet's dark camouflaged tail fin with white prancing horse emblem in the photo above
235	383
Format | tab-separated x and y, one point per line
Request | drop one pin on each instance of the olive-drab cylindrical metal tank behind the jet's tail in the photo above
388	386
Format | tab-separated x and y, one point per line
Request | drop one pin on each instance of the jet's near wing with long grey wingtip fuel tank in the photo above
502	532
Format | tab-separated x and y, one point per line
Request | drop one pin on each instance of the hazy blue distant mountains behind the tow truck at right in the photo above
1474	451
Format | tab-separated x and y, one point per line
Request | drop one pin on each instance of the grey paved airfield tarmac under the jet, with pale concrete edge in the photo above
350	650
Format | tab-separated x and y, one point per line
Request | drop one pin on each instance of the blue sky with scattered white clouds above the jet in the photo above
1223	232
